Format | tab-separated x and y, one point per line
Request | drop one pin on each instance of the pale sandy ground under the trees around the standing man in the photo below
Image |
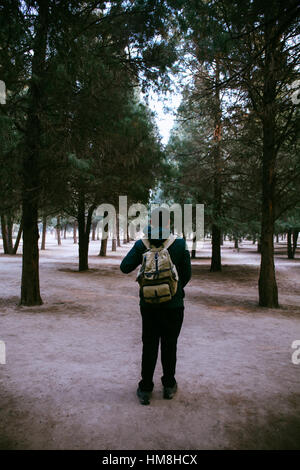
73	364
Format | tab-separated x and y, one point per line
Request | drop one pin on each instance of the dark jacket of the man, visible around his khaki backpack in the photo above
181	258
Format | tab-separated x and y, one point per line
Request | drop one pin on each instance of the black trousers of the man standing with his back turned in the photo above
164	325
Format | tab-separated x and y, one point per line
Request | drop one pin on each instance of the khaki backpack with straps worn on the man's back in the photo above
157	276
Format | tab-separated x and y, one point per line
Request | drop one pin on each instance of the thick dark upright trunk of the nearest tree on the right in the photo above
268	293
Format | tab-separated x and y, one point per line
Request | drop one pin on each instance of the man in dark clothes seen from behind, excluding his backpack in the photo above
160	322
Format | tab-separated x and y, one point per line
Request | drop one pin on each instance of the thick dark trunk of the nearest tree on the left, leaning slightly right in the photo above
30	286
